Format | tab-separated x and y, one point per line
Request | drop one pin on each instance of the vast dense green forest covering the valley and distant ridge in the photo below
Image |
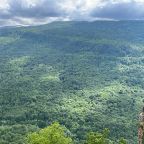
87	76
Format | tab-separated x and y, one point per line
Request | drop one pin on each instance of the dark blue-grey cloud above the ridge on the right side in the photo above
120	11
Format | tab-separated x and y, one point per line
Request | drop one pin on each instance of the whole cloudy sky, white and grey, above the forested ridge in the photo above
35	12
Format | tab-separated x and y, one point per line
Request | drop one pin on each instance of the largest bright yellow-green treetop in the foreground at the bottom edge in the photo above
53	134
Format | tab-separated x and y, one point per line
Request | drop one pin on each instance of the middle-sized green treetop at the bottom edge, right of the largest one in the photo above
98	138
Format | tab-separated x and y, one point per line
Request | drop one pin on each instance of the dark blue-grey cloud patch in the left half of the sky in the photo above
45	8
